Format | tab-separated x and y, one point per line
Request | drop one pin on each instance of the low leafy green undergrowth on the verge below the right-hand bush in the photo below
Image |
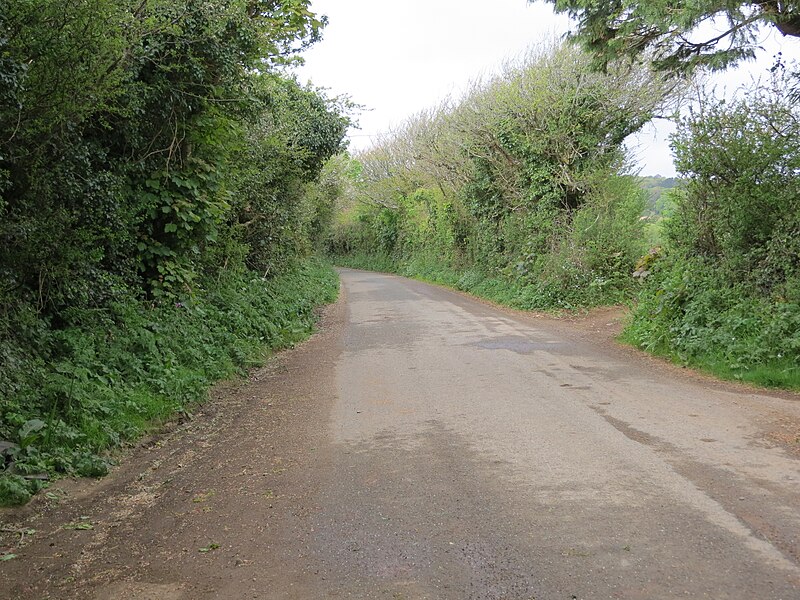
690	313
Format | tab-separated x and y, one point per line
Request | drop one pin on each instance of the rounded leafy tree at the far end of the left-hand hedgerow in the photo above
286	150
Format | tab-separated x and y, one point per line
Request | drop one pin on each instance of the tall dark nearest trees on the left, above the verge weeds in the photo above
118	121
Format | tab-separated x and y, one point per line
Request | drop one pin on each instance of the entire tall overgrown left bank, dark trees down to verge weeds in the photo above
158	204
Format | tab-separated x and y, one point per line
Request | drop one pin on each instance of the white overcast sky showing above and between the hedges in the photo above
397	58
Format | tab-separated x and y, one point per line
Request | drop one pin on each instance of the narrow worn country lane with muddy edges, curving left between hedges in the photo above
427	445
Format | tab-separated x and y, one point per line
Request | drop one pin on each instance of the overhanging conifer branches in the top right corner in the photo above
677	35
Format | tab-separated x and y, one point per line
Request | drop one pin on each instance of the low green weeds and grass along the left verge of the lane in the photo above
110	376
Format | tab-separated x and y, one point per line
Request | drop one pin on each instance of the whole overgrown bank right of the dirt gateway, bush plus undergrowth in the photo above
726	297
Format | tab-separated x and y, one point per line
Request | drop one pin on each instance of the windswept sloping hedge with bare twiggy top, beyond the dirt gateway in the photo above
521	182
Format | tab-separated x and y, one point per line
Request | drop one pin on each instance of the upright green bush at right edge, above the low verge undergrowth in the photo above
741	204
